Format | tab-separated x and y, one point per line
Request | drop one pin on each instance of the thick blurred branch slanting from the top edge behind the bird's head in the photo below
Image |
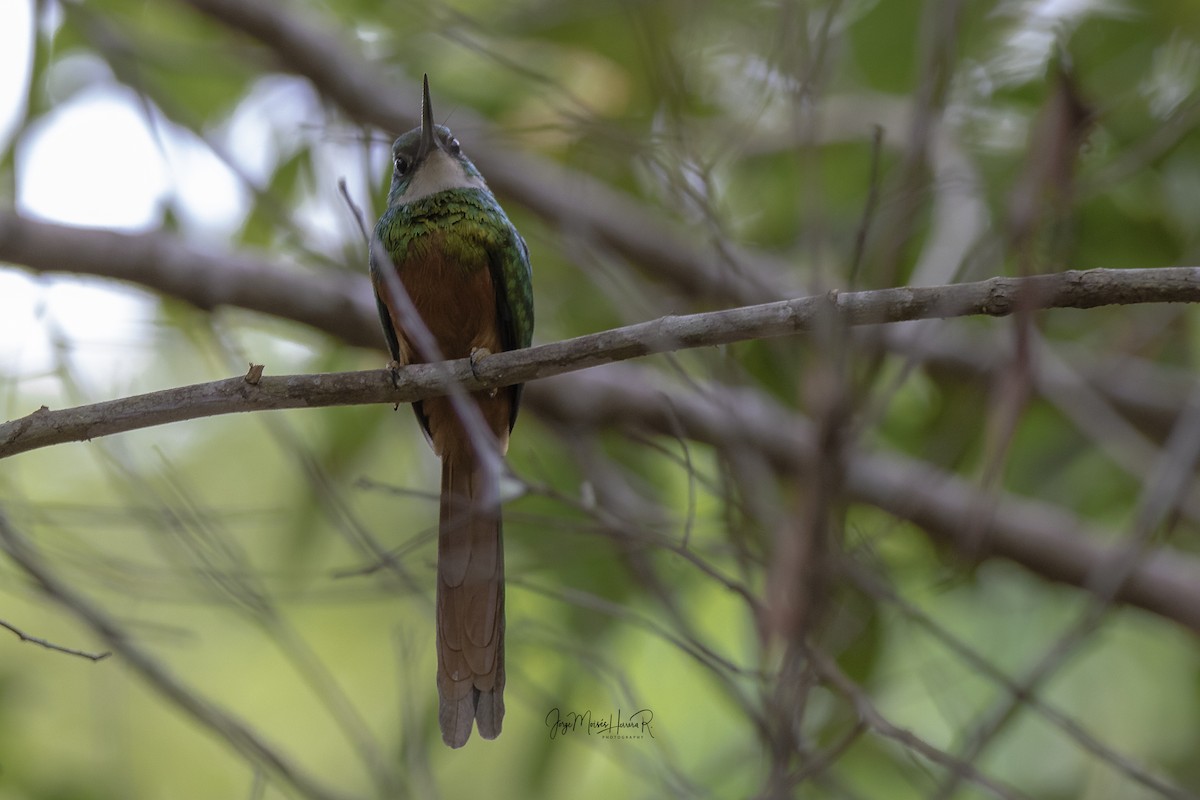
571	201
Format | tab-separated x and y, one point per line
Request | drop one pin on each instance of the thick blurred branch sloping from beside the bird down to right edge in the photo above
971	522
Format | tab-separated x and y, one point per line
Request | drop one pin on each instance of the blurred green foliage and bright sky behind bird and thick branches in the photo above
280	564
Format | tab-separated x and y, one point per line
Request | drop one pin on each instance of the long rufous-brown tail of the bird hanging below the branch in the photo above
470	603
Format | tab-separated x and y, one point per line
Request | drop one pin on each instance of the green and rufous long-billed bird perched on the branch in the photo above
446	245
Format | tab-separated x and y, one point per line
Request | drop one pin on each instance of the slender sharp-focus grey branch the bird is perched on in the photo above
995	297
